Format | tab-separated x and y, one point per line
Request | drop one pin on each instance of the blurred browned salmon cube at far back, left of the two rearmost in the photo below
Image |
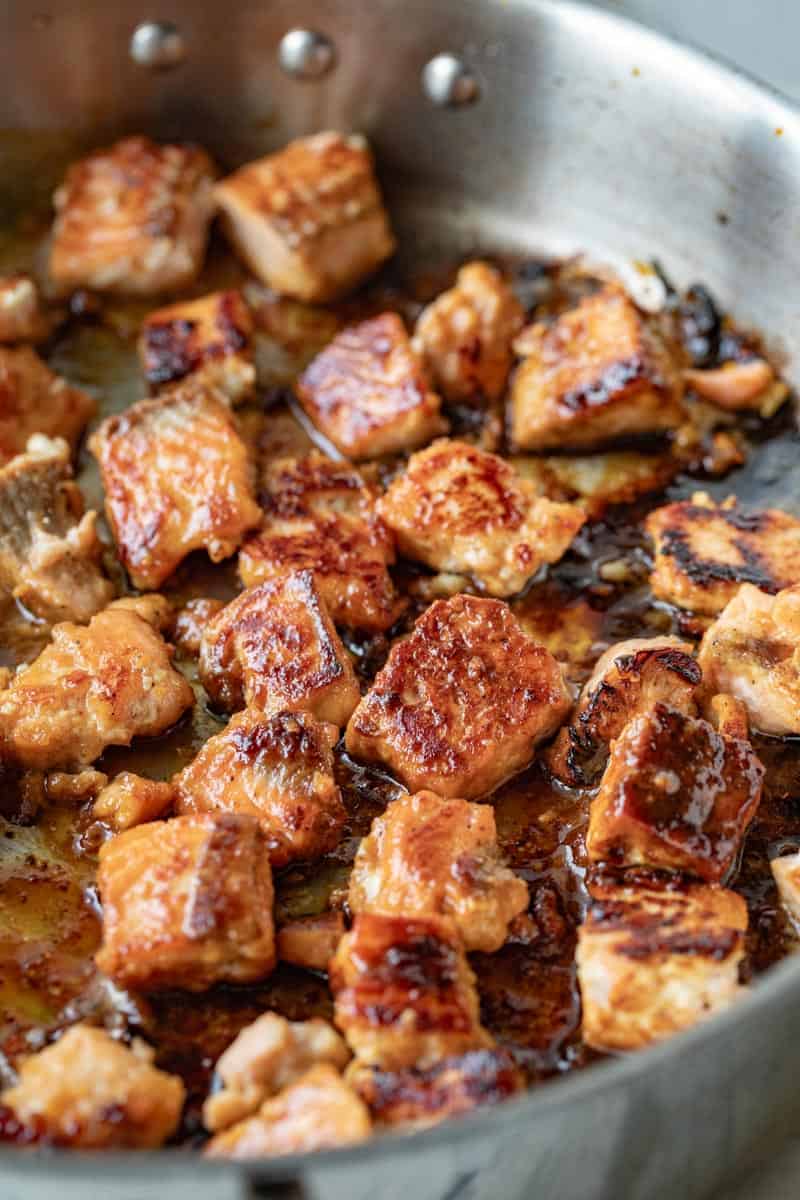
134	219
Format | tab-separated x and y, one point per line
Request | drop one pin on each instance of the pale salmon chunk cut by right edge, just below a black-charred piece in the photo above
753	652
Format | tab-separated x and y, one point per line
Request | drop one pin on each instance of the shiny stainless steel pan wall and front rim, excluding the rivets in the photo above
590	135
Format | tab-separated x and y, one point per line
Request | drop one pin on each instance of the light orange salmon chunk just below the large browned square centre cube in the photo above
428	855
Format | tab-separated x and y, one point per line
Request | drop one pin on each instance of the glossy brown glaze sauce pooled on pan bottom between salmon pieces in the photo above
51	919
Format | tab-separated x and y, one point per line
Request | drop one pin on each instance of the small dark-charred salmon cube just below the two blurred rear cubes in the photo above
212	338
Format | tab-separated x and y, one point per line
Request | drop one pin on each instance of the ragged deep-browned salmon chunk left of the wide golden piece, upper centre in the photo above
320	517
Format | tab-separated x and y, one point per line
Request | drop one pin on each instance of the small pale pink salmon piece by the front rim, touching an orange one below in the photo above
263	1059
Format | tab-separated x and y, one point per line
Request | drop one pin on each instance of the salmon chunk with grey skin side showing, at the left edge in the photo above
50	549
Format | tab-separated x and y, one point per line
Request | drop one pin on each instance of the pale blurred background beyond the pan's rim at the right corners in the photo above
763	37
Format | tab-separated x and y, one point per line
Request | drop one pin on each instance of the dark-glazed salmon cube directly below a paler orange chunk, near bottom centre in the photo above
405	994
